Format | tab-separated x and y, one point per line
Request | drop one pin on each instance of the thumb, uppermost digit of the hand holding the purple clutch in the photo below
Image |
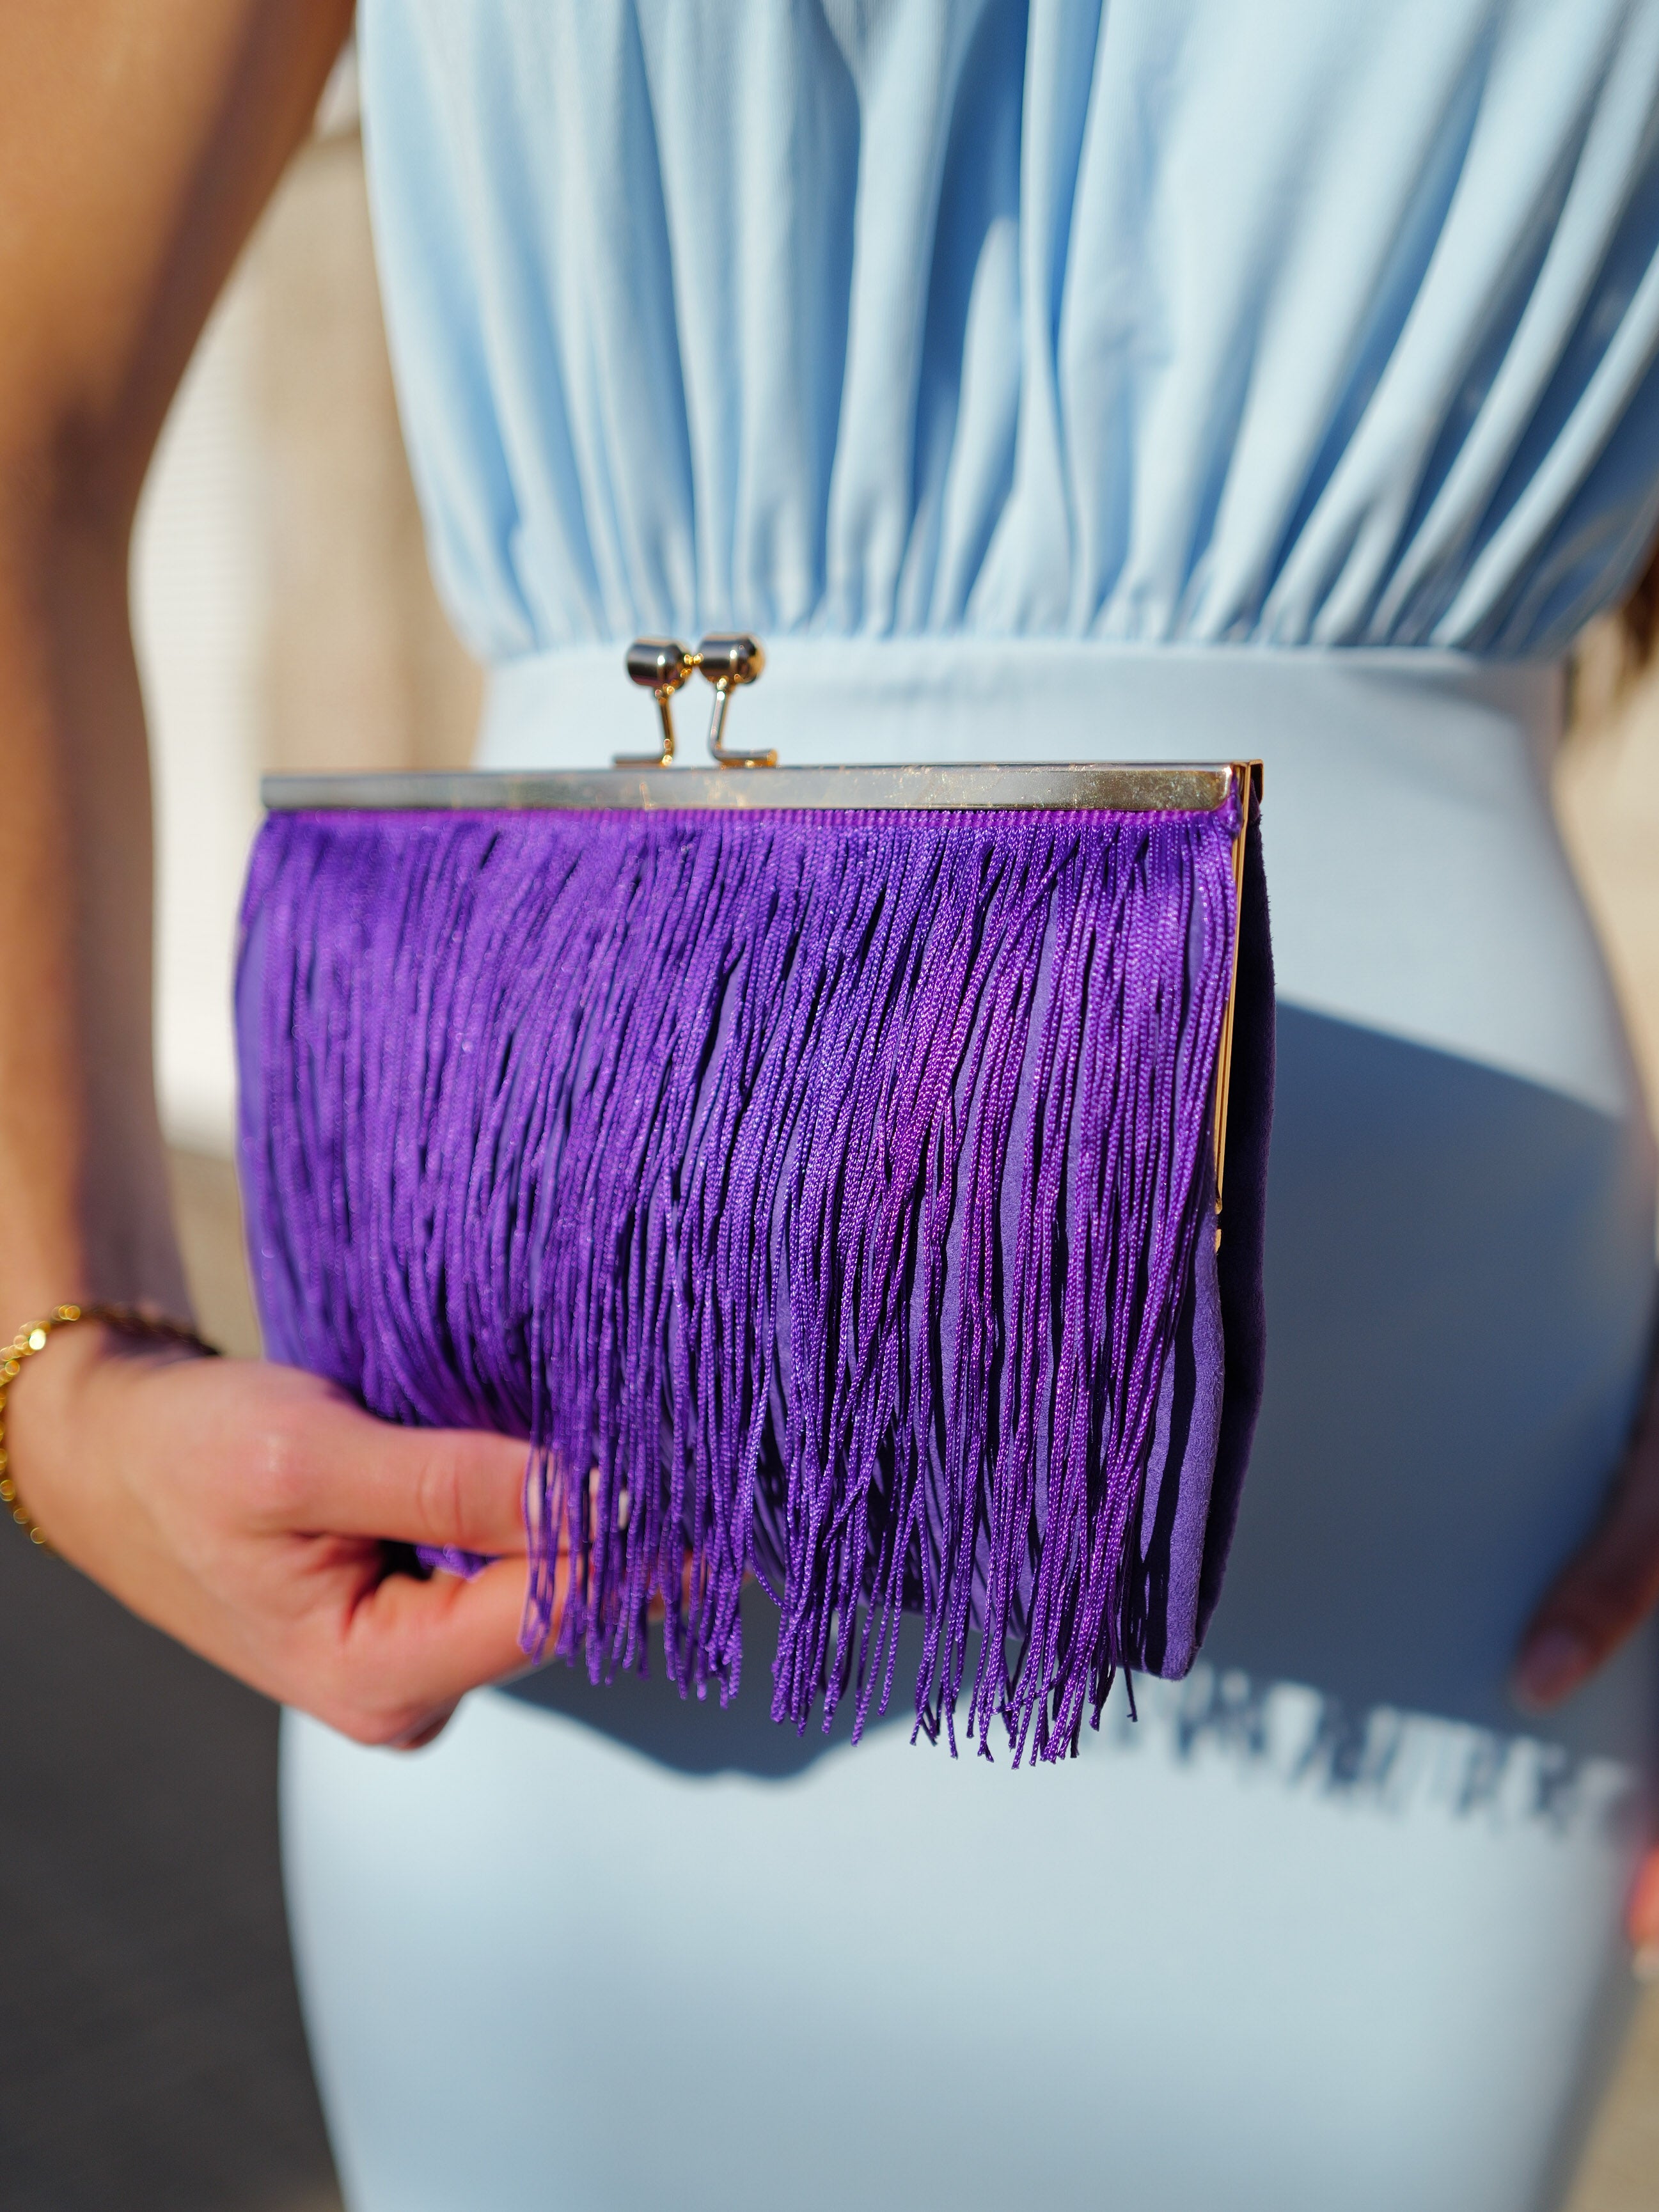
362	1477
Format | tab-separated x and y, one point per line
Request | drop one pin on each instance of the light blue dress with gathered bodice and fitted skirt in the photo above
1158	379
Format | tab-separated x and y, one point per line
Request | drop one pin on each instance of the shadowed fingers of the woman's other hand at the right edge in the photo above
1607	1589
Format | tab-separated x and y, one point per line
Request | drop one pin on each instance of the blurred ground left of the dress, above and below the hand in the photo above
152	2056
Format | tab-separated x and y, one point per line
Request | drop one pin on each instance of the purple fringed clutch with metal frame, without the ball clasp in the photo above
820	1176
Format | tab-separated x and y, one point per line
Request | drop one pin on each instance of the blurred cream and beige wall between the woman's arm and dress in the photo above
284	618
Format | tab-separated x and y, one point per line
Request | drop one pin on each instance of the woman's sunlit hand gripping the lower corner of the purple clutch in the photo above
242	1507
